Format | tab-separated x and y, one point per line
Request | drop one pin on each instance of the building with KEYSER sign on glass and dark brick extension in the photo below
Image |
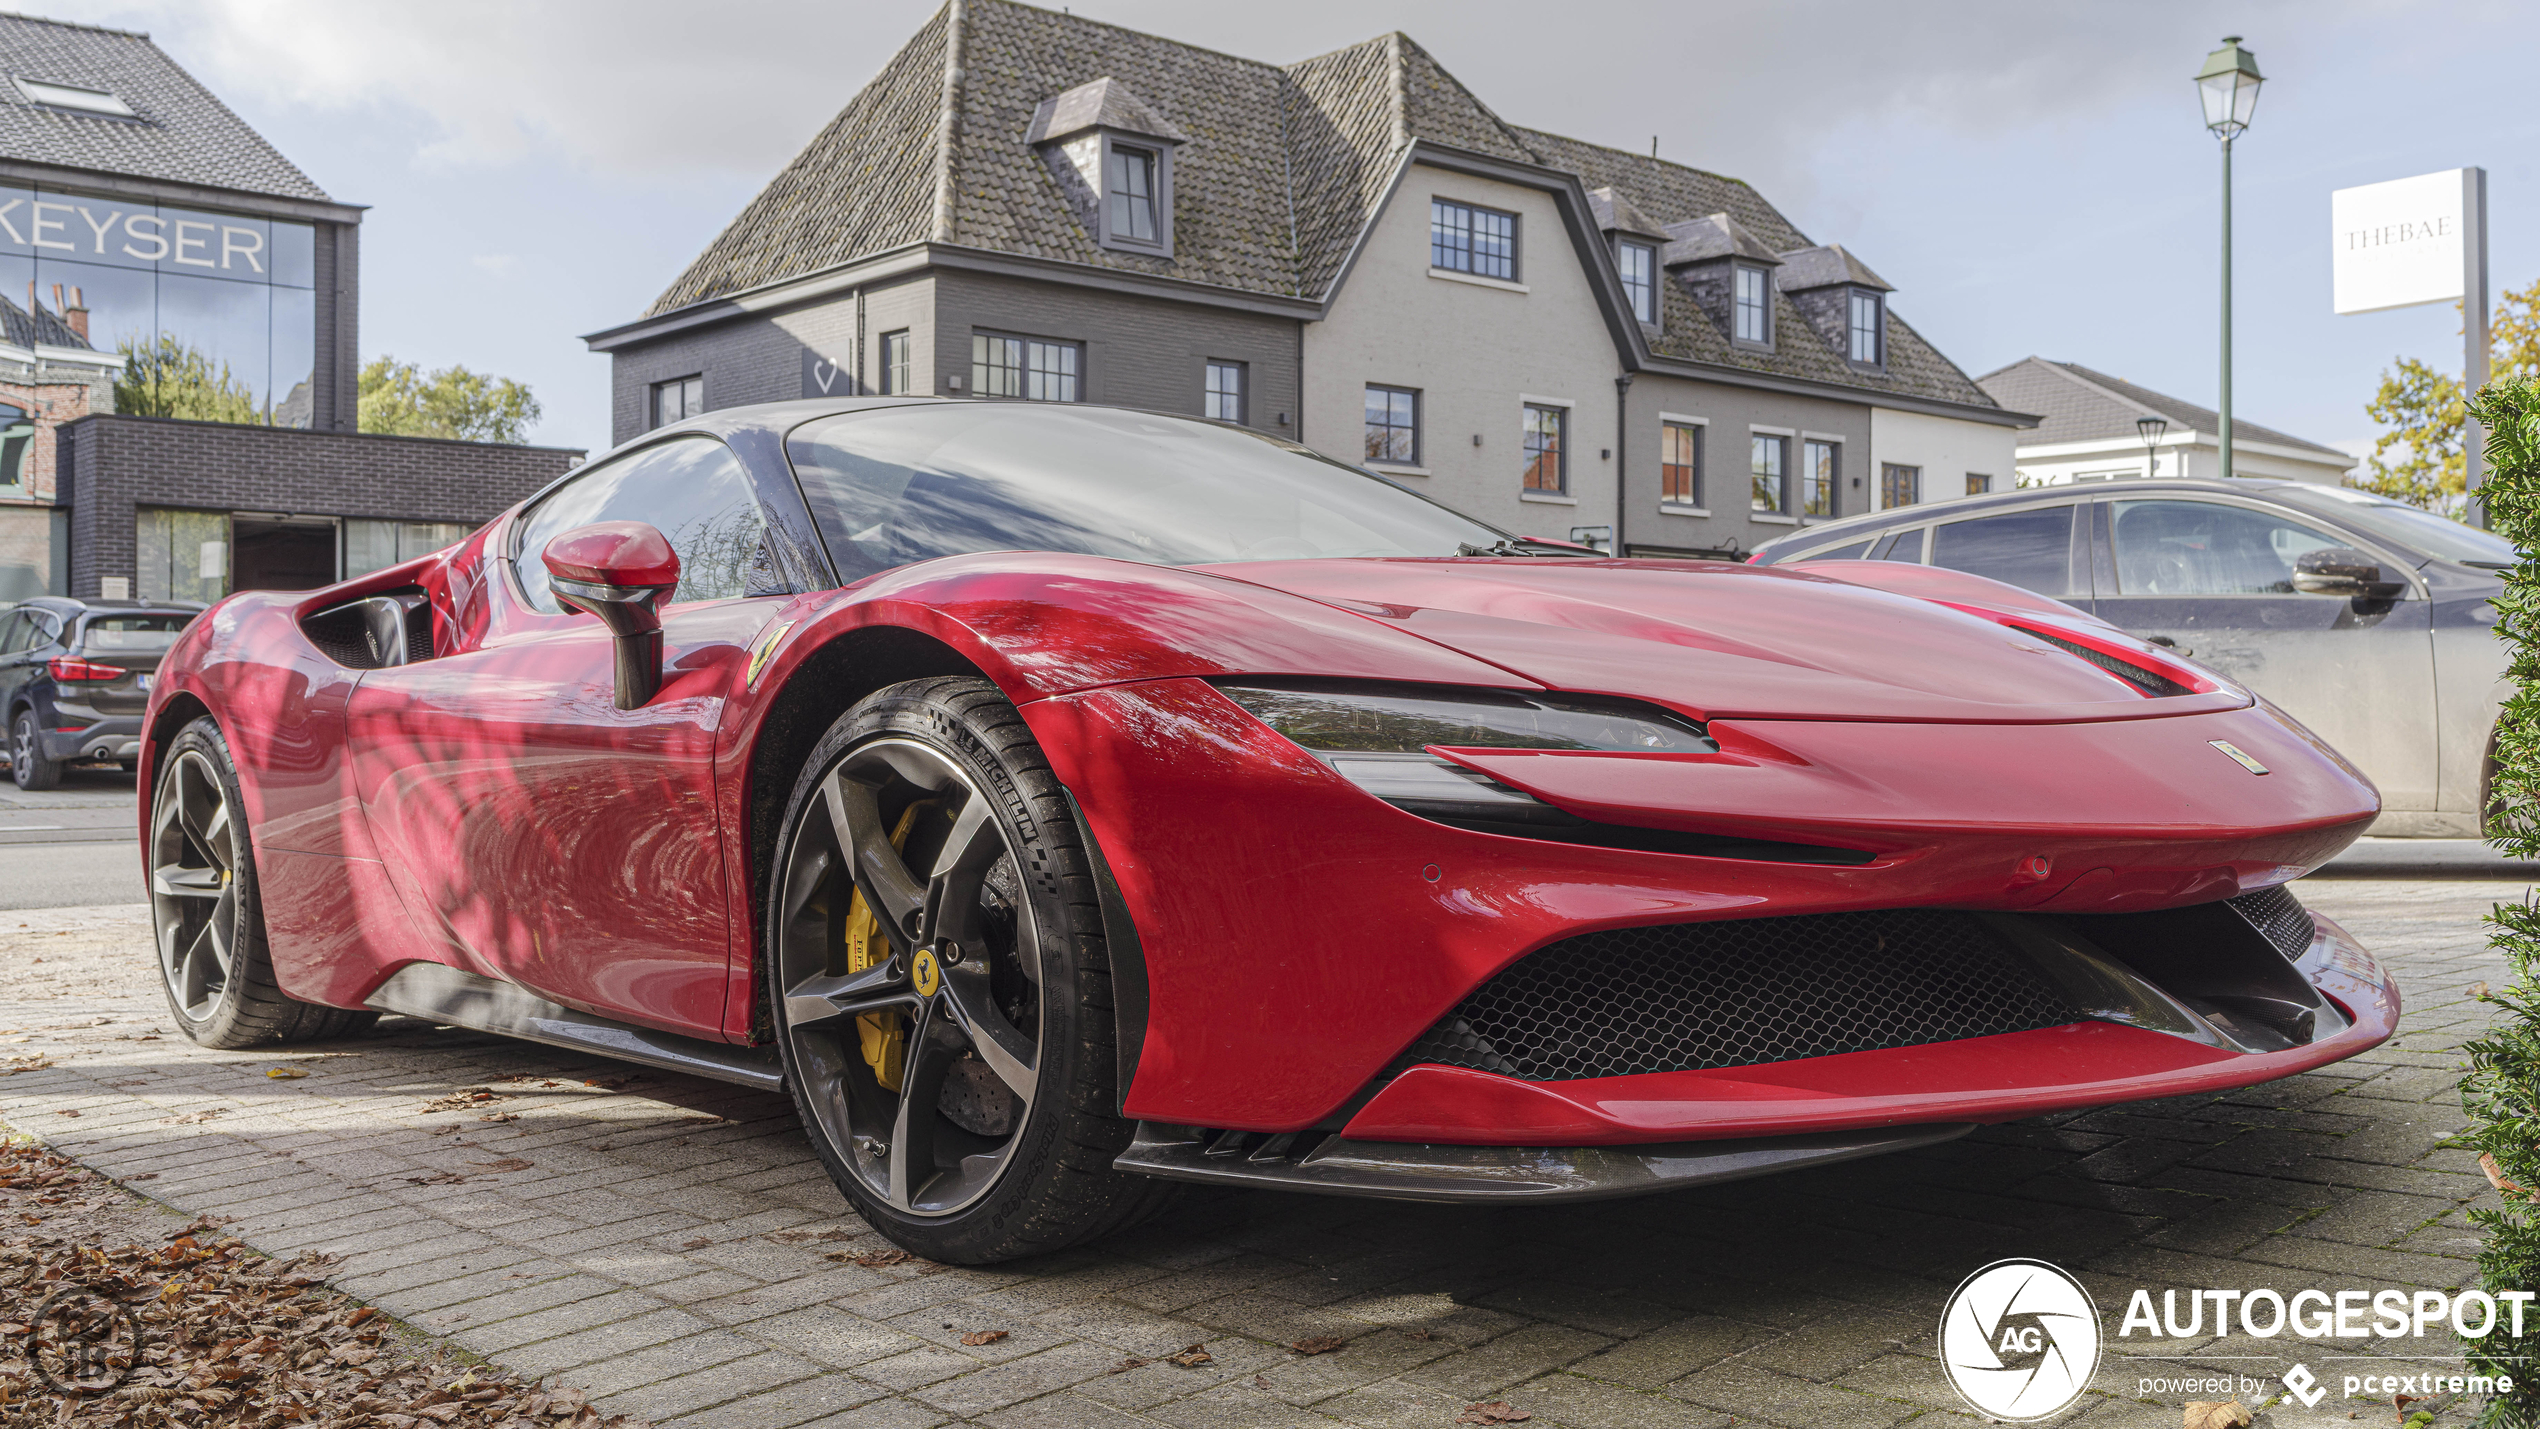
146	222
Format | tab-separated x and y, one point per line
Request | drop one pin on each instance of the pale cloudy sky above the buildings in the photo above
2031	176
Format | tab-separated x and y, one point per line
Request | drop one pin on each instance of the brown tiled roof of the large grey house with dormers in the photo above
1279	176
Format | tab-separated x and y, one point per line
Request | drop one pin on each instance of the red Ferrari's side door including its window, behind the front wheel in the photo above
542	834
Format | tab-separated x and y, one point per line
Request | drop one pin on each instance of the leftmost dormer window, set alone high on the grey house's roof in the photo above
1114	161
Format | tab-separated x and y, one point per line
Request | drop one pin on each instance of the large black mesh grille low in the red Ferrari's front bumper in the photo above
1736	994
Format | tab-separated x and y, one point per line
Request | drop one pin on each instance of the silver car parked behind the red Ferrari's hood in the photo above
2363	618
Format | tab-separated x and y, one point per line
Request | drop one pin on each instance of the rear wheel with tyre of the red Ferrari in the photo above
204	910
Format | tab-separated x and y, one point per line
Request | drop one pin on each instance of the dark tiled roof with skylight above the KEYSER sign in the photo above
179	131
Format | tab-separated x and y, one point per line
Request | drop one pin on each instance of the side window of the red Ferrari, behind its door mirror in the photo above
692	491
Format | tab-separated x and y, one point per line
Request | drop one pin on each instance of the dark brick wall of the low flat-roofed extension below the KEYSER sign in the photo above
121	463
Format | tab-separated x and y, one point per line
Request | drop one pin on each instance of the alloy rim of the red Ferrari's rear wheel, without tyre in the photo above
194	882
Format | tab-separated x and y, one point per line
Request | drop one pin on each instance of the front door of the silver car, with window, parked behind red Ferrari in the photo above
2216	577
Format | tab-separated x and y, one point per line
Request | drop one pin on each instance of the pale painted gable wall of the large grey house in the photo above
1477	354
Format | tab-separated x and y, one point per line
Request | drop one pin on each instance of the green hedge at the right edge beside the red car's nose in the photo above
2503	1085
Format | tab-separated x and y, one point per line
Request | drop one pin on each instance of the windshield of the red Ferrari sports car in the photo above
911	484
